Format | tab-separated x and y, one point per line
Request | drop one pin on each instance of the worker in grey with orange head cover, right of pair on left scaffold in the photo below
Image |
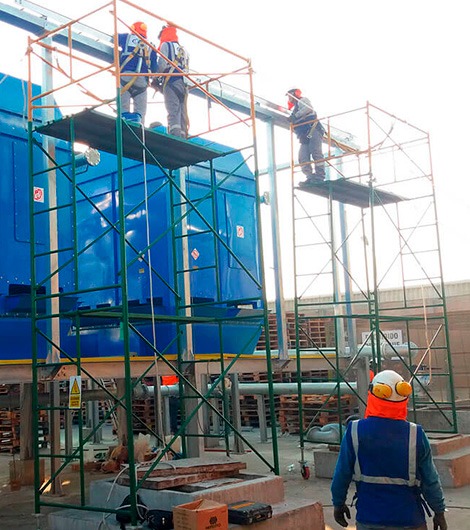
173	59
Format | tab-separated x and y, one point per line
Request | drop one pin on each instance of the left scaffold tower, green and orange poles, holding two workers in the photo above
61	190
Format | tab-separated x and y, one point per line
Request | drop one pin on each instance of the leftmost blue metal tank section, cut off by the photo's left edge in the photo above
15	264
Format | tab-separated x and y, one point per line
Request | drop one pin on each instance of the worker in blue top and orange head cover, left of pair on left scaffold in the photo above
135	57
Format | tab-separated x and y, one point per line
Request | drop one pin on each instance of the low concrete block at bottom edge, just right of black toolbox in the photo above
298	514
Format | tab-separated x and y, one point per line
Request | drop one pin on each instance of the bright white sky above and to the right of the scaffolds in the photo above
409	57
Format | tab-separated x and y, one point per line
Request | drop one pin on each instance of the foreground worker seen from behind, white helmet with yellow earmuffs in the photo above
390	460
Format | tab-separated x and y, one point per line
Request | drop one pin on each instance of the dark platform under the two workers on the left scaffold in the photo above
97	130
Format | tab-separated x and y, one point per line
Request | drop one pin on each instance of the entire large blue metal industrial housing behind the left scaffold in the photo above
230	291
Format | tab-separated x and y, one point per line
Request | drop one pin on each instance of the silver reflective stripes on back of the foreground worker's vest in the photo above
358	476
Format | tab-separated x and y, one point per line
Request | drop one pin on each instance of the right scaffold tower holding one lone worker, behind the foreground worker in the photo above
369	227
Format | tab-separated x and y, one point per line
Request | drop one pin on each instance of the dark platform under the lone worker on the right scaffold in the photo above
349	192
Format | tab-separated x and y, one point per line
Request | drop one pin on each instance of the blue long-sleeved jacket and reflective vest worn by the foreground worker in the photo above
392	469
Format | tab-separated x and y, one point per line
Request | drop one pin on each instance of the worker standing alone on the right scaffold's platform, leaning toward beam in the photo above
309	132
